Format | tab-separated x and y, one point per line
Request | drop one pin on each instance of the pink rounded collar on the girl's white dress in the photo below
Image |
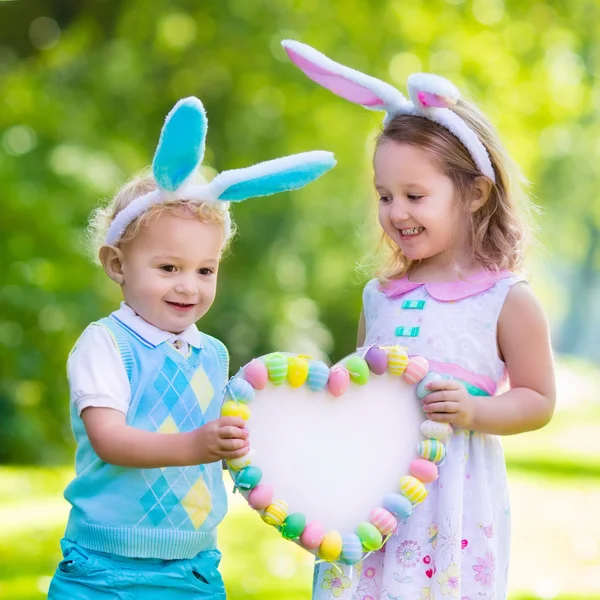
449	290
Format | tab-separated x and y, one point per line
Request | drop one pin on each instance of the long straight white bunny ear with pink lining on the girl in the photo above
351	85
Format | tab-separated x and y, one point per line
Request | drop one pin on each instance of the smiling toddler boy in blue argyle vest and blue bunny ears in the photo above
146	384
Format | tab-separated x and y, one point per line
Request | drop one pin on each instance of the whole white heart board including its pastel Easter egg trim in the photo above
333	458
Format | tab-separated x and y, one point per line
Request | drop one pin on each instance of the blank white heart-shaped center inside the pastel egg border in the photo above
334	459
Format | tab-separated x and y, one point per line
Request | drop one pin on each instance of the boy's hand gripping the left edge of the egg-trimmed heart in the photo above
223	438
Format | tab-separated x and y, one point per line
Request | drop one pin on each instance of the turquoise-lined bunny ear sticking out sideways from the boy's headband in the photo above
266	178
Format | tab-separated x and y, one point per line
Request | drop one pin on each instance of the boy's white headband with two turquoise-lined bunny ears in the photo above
180	151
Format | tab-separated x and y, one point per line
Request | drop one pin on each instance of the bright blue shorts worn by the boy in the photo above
87	575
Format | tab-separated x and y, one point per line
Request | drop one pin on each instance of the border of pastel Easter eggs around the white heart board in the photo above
295	370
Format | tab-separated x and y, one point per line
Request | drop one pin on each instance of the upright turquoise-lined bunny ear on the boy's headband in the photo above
181	145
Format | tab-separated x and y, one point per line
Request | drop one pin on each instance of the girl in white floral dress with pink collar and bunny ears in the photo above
447	207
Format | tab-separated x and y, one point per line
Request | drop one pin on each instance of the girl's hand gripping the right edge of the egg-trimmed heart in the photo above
449	402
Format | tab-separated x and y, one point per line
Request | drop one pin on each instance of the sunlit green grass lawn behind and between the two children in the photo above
553	474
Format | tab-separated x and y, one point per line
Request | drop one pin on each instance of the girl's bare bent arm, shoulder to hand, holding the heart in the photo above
524	343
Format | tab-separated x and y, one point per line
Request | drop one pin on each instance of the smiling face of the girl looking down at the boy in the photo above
418	208
